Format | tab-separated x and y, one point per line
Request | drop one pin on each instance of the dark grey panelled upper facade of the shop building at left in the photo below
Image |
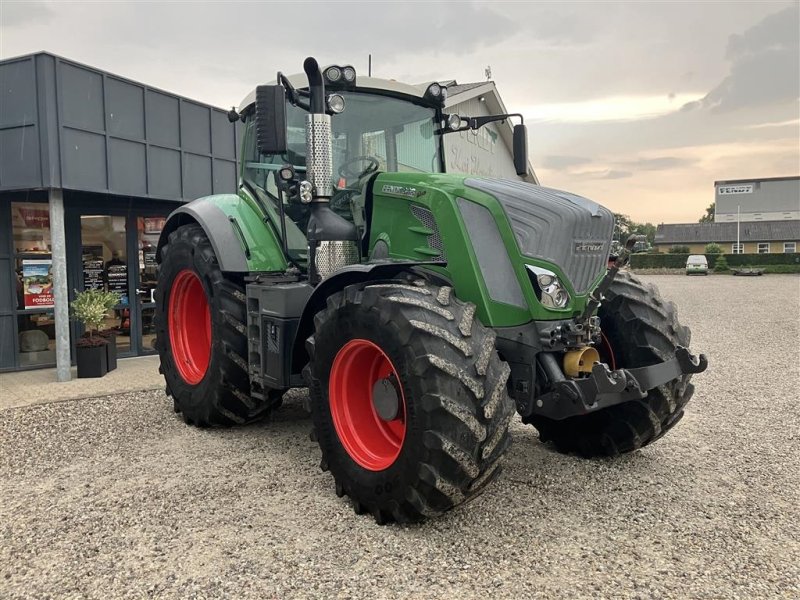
68	125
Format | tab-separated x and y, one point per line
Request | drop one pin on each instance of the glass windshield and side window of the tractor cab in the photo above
374	133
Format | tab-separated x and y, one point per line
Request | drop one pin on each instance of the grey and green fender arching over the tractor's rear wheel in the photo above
243	241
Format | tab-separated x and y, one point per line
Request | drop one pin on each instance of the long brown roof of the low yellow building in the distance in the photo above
703	233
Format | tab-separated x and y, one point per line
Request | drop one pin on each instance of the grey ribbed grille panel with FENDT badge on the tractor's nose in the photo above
558	227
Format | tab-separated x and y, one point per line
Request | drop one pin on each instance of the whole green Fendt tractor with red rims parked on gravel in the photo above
421	309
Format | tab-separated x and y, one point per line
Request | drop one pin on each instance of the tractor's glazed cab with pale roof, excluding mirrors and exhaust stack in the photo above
380	126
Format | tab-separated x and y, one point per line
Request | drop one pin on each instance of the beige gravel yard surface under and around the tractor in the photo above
116	497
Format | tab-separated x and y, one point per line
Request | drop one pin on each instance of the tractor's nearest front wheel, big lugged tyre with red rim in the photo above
452	427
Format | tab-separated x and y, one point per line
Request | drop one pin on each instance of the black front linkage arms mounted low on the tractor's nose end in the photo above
604	388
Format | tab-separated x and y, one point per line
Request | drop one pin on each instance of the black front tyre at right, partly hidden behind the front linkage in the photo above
641	330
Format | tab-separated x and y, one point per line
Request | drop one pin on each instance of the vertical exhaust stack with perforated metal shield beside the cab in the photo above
332	240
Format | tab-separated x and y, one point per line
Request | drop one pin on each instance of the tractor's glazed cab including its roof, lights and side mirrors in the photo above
376	125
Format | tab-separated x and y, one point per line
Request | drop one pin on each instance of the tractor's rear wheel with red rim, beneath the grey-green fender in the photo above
210	384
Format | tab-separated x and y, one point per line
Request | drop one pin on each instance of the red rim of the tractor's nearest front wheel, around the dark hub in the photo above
369	440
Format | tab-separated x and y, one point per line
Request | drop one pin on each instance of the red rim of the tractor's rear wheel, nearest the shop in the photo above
189	327
